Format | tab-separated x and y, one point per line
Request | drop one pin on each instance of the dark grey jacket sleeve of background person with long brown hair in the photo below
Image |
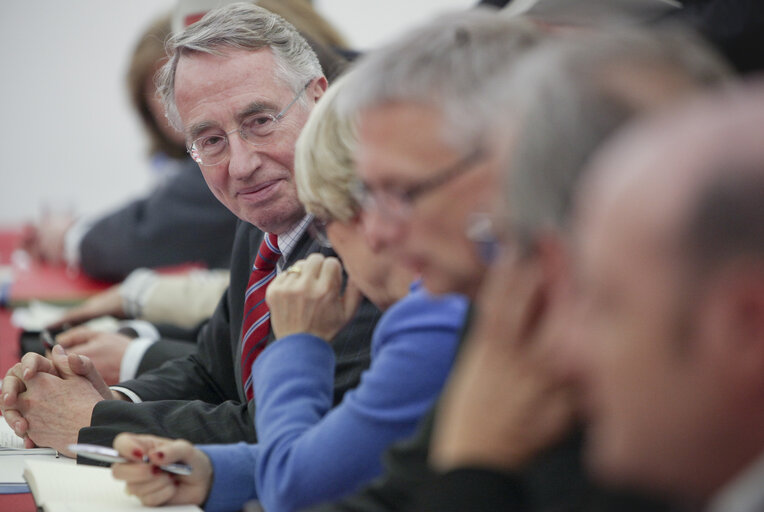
180	221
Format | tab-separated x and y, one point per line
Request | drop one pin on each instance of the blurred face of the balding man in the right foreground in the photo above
640	364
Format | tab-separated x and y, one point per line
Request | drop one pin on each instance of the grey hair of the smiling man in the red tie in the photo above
240	26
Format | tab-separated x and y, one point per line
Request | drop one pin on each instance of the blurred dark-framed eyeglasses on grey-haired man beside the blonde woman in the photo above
397	203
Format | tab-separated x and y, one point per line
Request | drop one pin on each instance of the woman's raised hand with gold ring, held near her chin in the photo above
311	300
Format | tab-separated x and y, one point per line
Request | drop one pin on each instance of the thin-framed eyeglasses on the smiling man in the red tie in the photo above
255	129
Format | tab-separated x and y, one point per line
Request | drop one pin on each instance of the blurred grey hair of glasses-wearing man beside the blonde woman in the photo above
444	64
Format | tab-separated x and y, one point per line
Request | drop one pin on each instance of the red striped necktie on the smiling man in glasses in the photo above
256	324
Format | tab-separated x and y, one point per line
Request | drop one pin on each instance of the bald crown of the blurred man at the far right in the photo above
684	170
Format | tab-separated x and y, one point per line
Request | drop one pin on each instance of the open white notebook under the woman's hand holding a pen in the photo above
83	489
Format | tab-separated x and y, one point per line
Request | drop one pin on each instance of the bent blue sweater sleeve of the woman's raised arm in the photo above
309	453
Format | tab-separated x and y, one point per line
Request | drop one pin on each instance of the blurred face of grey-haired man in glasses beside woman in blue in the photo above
401	145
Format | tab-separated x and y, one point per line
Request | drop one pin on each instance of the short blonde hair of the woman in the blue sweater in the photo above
324	168
